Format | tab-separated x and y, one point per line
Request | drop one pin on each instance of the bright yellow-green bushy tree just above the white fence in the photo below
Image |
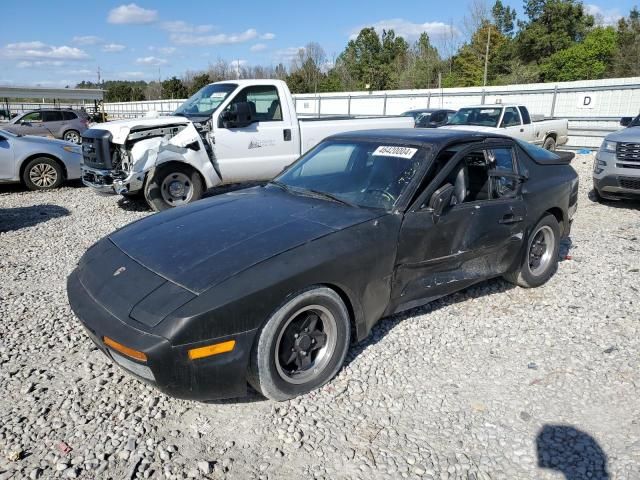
587	60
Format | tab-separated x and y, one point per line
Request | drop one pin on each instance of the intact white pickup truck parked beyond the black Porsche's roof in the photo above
511	120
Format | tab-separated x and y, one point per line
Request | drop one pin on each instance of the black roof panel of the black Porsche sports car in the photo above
417	136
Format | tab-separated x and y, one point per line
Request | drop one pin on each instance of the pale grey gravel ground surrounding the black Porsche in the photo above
494	382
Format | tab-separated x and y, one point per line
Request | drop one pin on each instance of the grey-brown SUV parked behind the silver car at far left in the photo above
65	124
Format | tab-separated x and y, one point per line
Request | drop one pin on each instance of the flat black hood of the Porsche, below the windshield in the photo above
201	245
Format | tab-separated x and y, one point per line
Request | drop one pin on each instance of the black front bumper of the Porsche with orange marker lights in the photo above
168	366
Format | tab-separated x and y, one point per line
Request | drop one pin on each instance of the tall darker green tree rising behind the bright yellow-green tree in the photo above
552	26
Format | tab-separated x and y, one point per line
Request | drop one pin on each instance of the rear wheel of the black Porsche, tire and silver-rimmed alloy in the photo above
530	274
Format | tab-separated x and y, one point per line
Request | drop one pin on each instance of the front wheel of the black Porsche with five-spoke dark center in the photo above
284	365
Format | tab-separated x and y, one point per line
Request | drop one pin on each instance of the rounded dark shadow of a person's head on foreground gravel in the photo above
571	452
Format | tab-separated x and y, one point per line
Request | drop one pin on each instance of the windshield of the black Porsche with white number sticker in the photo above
360	173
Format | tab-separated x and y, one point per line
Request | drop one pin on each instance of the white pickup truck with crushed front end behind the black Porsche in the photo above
228	132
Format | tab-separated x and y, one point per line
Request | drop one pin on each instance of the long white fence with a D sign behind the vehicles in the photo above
593	107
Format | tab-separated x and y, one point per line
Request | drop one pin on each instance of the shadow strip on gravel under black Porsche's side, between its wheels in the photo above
386	324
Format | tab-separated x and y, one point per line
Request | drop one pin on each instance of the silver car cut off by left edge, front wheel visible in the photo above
39	163
